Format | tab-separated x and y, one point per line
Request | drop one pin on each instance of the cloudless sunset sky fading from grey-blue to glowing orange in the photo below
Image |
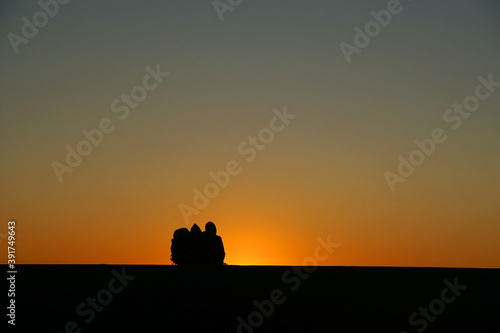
323	175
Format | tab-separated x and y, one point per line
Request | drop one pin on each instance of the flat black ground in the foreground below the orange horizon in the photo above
127	298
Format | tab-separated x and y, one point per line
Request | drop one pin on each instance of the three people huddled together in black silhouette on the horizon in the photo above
197	248
